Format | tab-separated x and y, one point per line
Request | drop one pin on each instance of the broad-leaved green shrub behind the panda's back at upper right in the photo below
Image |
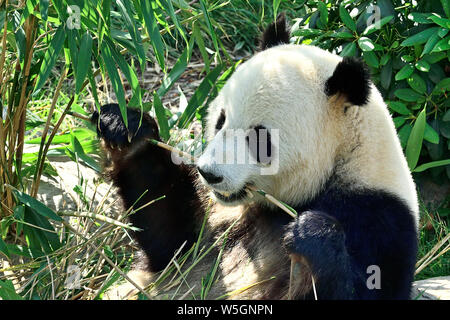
407	48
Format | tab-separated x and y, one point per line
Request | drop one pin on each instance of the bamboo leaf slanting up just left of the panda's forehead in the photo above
200	95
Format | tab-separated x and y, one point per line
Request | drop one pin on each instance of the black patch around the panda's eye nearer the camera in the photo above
259	144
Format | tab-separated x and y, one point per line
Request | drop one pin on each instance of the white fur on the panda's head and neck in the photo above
283	88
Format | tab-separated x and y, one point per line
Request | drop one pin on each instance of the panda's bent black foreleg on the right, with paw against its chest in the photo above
319	239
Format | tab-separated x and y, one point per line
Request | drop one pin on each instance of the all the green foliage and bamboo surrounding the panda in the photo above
48	67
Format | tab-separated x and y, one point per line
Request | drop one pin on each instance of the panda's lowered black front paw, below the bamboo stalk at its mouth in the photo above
317	238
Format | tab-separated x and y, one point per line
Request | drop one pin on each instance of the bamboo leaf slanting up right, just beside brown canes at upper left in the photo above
50	57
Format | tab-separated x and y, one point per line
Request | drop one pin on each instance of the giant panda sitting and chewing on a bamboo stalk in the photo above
339	165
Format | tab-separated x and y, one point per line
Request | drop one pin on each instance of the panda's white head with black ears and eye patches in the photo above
282	121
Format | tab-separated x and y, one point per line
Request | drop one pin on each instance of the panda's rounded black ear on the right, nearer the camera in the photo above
352	79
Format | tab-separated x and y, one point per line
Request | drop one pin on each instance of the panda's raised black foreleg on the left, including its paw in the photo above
143	173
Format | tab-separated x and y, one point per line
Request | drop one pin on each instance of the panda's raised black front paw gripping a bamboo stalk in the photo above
111	127
